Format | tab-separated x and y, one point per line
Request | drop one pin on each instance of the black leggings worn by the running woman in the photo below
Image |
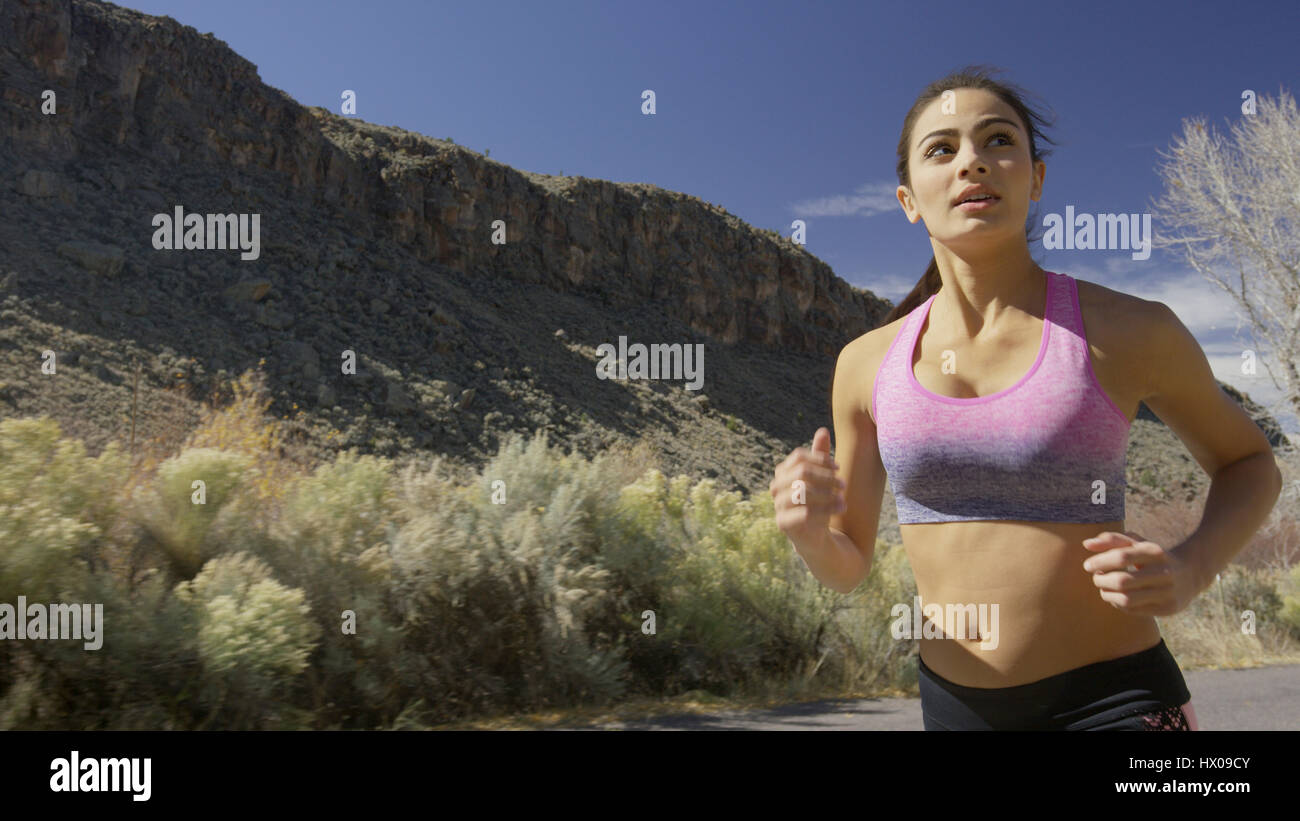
1143	692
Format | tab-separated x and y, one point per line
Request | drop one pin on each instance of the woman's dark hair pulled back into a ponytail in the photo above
970	77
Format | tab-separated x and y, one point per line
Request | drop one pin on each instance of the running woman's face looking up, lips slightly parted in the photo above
981	150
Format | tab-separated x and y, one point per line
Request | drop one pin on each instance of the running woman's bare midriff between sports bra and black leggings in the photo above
1051	618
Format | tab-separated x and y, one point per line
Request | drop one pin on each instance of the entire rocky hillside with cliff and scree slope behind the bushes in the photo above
473	296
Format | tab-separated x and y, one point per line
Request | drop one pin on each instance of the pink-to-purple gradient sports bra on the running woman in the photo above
1052	448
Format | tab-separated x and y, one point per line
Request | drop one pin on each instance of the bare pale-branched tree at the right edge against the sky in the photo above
1238	207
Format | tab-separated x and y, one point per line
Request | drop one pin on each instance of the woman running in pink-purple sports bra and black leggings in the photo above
999	398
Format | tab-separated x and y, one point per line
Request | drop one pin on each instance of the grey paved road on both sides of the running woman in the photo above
1251	700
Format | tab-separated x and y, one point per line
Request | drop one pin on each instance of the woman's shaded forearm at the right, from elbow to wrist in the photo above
1241	498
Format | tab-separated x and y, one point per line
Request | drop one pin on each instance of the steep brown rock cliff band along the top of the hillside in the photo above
138	86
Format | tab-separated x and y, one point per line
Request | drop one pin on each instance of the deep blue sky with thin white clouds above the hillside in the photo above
779	111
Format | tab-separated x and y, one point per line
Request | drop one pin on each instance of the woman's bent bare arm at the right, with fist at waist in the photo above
1245	486
